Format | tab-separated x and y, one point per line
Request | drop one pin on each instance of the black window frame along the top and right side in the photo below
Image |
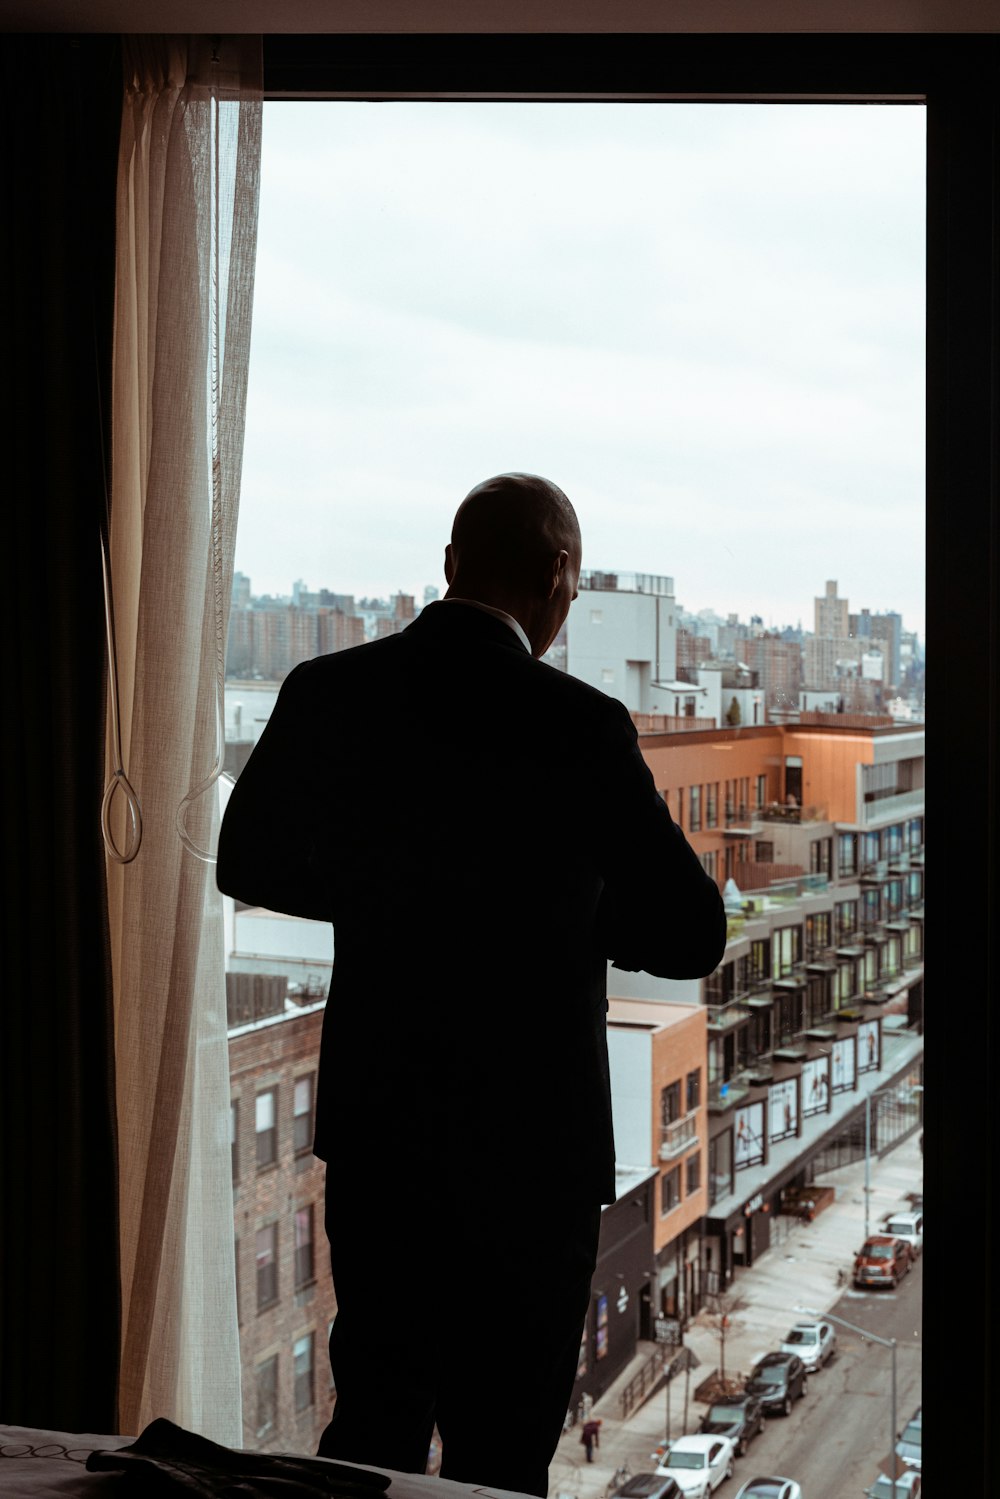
954	76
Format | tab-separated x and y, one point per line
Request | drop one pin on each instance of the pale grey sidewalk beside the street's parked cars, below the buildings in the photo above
798	1270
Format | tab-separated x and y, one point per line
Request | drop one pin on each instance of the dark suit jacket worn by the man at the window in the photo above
485	836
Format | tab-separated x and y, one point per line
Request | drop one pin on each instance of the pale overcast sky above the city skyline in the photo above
705	323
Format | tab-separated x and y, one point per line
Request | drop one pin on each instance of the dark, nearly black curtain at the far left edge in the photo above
61	106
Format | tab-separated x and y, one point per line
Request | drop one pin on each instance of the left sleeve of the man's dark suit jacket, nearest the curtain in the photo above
268	848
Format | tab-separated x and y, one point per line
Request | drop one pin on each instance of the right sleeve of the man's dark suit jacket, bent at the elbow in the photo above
659	912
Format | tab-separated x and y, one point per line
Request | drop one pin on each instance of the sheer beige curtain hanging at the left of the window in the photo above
187	239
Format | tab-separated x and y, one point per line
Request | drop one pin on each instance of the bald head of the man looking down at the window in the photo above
516	546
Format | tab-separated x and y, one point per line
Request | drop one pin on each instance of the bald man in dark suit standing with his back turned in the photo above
484	834
